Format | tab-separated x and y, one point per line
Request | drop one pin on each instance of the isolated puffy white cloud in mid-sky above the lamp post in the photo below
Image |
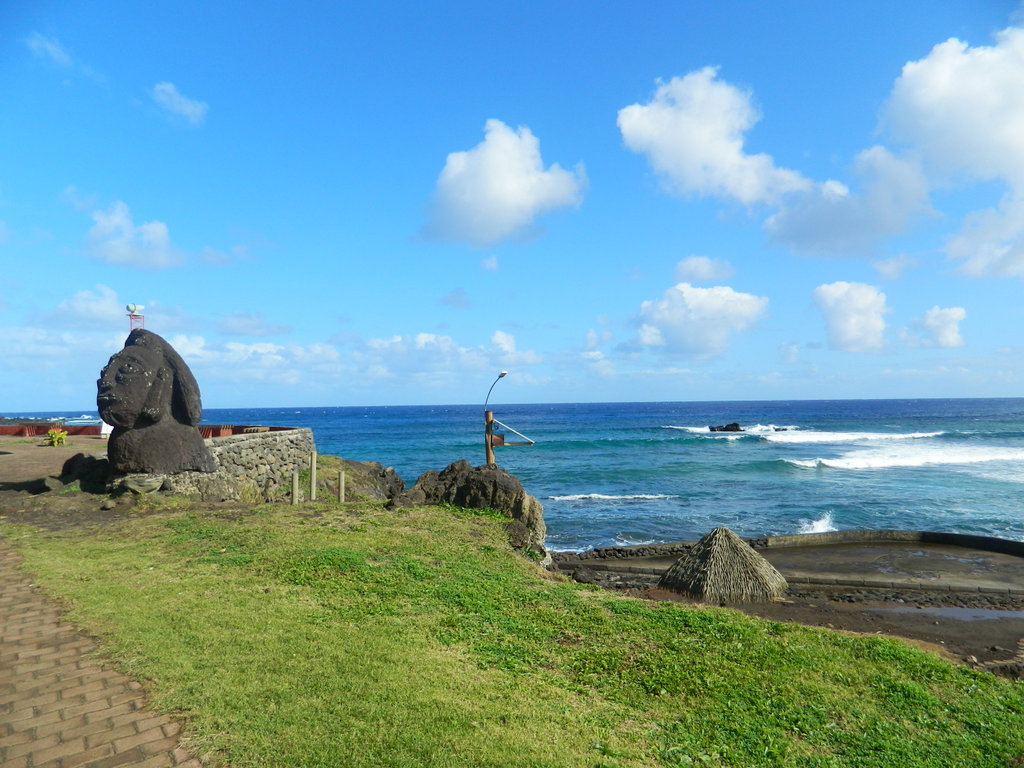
496	190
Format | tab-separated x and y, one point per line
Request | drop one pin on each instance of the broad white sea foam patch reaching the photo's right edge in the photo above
913	456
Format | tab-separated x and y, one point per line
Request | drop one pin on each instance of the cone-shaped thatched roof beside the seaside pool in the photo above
722	568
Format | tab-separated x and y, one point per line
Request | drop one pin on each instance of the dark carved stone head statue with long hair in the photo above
150	397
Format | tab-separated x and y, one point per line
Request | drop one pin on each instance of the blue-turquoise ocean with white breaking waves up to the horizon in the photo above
625	474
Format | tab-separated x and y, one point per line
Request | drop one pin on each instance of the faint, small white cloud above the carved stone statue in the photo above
116	240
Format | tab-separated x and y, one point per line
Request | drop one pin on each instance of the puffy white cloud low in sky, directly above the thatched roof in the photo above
698	321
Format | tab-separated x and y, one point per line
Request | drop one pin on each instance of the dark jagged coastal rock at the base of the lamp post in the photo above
481	488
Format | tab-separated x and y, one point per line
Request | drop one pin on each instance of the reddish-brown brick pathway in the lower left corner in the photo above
59	709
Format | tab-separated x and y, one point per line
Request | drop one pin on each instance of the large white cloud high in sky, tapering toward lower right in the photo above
693	134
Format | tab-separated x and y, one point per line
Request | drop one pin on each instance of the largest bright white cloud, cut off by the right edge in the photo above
962	108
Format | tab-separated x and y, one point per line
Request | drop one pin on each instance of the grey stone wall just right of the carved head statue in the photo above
251	467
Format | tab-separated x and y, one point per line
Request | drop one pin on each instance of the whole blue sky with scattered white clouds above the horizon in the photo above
389	203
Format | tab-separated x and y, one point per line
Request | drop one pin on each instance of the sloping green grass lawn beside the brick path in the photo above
366	637
